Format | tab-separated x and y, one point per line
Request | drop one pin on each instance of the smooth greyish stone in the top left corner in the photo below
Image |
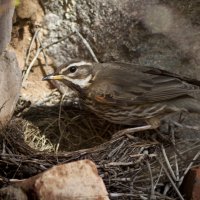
6	14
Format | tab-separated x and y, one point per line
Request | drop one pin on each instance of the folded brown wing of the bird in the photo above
135	85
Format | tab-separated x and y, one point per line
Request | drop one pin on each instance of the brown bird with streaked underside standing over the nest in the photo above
125	93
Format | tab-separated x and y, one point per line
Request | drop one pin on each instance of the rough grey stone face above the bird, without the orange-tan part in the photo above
156	33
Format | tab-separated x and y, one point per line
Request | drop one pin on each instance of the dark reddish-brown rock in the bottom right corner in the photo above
191	184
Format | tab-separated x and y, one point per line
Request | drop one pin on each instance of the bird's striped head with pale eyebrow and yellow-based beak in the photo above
74	73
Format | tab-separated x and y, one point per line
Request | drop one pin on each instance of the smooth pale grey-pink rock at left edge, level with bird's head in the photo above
10	84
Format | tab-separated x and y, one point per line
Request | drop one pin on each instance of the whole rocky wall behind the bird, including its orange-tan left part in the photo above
158	33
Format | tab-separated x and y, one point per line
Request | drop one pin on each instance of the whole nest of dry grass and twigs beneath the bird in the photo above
143	165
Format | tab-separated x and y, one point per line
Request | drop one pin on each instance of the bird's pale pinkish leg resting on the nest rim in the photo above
131	130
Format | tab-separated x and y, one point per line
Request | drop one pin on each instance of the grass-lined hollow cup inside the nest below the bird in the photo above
74	129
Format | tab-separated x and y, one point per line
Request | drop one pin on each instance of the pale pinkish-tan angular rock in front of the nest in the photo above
76	180
